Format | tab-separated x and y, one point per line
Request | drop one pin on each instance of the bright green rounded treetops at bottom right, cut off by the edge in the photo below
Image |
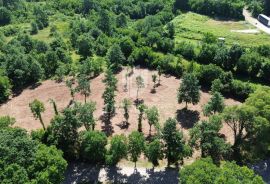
204	171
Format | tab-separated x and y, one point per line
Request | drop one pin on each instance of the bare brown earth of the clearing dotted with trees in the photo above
164	99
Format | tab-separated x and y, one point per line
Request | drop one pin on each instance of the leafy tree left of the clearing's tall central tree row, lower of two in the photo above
86	114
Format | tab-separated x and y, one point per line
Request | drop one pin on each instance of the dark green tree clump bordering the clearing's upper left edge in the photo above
26	61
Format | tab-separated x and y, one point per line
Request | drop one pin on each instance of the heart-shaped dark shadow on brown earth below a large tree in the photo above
187	118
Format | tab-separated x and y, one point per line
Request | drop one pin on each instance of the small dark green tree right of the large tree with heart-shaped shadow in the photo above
215	105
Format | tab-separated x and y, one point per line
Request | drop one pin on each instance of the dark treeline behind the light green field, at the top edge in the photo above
222	9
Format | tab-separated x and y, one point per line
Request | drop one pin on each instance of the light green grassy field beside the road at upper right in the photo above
192	26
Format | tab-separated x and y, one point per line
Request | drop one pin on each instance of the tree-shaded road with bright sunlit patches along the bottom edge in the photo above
85	173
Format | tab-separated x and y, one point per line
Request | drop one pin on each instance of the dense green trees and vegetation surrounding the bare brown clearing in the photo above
105	36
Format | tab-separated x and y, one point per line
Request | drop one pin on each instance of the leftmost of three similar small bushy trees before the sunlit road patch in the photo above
118	149
